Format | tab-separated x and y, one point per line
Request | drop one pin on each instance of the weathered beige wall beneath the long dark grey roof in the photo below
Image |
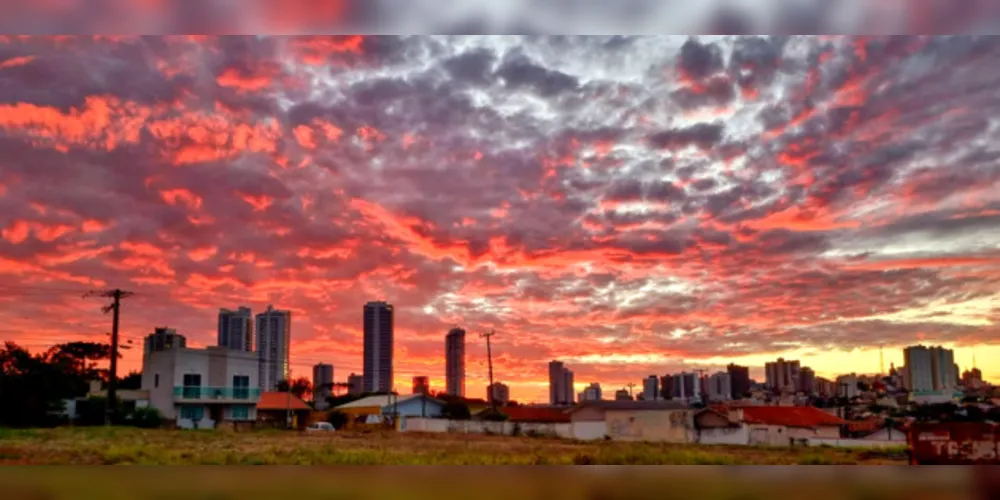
670	426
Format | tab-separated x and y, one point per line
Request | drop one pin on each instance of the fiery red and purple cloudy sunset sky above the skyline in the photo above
628	205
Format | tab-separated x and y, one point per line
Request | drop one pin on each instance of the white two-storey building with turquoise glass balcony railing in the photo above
198	388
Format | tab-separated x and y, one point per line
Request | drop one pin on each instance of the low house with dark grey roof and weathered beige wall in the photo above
664	421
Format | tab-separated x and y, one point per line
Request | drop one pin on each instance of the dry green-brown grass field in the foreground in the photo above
98	445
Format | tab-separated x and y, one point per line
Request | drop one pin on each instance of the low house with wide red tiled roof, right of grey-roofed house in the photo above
764	425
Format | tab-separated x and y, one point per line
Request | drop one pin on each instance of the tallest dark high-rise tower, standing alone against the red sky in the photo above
378	319
